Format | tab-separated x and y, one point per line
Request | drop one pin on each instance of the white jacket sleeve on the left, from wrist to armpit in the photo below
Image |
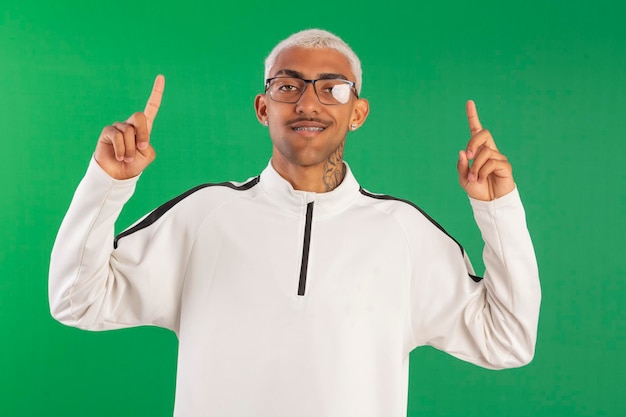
91	285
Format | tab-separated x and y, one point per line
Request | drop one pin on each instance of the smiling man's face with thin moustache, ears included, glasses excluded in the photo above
307	133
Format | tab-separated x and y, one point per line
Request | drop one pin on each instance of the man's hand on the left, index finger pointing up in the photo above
124	149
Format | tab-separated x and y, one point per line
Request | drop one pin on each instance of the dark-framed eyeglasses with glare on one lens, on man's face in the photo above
328	91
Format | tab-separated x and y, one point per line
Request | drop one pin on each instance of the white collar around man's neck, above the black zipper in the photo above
280	191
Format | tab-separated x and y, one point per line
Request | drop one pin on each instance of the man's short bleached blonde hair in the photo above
317	38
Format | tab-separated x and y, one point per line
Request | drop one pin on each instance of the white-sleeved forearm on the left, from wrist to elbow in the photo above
79	265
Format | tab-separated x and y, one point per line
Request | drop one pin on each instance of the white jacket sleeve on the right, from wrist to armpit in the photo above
491	322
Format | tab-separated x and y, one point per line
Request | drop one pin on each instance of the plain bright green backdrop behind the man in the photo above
549	81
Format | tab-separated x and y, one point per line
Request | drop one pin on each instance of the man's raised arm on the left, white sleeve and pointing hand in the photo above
91	285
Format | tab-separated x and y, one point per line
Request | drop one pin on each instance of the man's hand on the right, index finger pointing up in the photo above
490	174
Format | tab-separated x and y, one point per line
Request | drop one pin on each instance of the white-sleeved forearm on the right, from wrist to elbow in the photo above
511	281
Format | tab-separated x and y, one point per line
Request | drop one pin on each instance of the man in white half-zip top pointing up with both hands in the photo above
298	293
